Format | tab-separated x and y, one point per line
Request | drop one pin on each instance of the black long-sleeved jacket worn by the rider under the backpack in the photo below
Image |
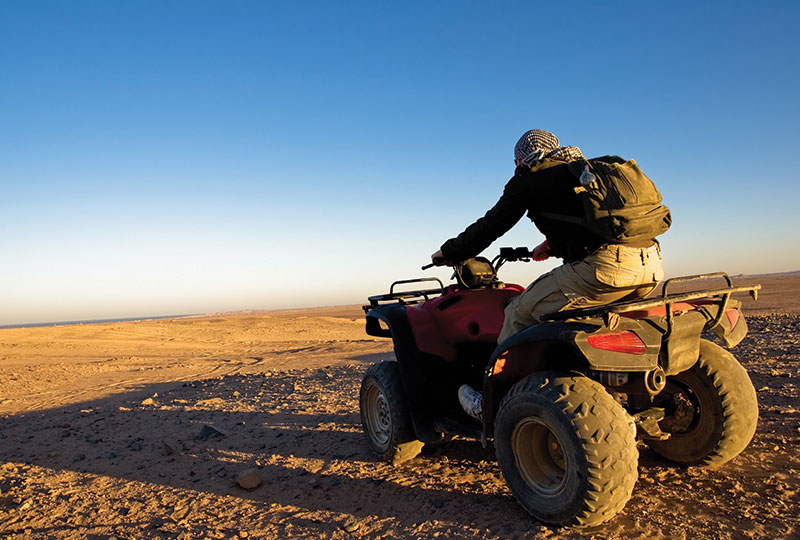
548	186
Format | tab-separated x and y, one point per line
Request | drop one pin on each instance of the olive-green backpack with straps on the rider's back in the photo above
622	205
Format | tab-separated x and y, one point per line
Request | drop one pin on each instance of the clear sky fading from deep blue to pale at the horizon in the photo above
192	157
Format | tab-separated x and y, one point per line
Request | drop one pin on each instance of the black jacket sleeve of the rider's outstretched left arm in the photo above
497	221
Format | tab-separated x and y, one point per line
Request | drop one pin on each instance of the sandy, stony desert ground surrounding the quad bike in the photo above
140	430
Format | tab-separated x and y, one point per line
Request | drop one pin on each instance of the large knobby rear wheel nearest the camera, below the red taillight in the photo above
567	449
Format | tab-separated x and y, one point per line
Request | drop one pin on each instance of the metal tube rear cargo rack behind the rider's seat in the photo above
610	311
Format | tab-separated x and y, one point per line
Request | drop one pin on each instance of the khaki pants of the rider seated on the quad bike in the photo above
613	272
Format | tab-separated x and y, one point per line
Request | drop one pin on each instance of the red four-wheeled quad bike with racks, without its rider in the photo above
565	400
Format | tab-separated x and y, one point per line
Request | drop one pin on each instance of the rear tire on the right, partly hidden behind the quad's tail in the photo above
712	410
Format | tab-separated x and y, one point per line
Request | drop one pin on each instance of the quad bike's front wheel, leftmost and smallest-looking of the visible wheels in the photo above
385	415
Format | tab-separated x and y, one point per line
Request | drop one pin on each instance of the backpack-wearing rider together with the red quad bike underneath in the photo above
575	367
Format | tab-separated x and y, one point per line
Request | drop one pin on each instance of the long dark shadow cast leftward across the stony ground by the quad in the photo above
299	429
